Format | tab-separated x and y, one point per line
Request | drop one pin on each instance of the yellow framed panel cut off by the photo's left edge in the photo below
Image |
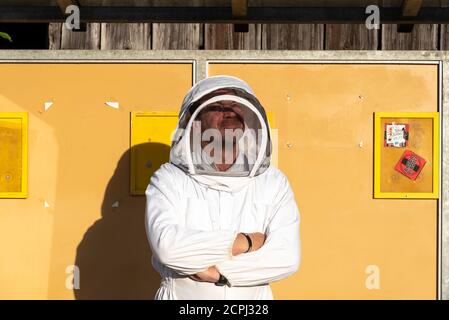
13	154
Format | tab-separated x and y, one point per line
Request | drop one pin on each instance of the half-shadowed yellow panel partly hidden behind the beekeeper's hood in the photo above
151	134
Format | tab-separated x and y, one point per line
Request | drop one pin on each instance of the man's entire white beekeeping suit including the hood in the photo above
194	213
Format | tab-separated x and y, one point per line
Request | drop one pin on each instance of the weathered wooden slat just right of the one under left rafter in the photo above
127	36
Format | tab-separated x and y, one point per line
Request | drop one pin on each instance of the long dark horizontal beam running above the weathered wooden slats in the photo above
390	15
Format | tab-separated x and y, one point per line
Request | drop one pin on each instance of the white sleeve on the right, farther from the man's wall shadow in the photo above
279	257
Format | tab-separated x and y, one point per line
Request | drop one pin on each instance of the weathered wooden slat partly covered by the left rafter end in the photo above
90	39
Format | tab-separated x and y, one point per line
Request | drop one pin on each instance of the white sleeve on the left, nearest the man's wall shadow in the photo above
186	251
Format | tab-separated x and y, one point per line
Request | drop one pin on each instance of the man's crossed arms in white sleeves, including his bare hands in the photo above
202	255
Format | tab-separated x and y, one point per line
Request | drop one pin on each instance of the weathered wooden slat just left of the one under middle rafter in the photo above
177	36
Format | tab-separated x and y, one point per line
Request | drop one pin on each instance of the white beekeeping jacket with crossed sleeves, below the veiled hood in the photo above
191	225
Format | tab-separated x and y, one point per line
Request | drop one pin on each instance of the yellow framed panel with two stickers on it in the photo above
423	140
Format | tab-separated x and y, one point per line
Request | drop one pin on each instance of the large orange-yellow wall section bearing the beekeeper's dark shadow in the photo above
79	165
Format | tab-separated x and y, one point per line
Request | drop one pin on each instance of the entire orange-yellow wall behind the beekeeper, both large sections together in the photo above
79	165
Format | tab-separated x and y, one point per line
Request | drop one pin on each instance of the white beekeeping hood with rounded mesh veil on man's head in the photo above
253	145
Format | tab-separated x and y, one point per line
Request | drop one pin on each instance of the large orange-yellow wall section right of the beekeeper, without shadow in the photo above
324	116
